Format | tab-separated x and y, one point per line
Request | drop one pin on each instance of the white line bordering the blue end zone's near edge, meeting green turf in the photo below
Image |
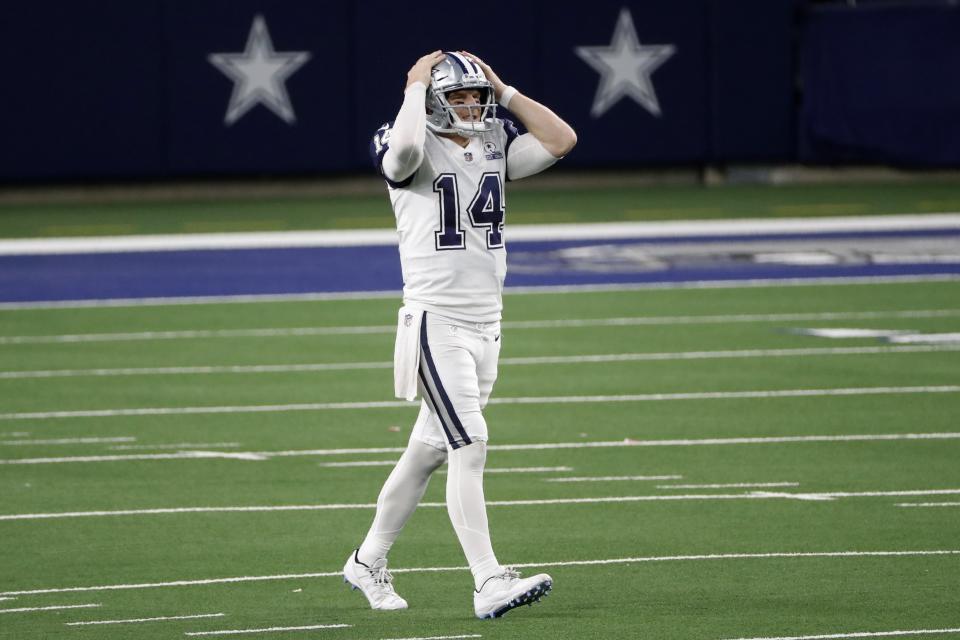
533	290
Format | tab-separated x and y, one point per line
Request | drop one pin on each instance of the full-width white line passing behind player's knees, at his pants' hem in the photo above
627	442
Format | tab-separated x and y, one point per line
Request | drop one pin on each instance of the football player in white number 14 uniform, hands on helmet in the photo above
446	159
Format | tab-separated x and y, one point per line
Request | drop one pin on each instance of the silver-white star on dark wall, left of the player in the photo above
259	75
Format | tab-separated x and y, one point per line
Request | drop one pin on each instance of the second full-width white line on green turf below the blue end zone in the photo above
536	360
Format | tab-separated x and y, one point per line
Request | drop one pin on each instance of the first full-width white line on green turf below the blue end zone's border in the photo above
268	332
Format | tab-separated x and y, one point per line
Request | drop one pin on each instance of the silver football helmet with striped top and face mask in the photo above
453	73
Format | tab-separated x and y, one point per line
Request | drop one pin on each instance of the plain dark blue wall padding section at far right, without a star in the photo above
882	84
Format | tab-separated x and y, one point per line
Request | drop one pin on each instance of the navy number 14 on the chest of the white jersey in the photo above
485	210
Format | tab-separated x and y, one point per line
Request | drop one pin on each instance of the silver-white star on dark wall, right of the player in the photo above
625	68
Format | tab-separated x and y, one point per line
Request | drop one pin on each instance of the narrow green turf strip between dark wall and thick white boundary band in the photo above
530	204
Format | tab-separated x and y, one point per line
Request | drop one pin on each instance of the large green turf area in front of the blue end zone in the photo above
814	544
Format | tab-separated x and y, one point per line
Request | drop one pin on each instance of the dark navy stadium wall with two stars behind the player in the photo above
115	89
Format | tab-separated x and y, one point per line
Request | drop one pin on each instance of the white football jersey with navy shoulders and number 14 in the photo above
450	218
